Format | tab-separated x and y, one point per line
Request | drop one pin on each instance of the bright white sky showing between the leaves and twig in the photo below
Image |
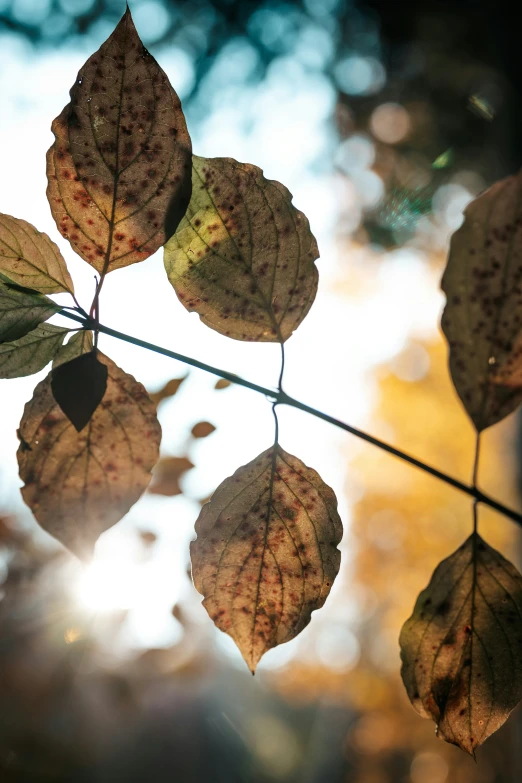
282	125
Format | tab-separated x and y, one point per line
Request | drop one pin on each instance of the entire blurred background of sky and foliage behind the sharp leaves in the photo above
384	120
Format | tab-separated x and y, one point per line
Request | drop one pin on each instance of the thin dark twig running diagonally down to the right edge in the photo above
280	397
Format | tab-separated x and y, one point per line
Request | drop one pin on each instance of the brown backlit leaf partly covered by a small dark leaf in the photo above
79	484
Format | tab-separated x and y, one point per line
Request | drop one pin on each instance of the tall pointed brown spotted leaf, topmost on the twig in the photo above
119	170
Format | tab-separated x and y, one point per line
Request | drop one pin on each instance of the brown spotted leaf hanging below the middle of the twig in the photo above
266	551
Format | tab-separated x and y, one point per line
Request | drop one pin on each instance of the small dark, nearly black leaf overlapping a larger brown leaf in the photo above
79	386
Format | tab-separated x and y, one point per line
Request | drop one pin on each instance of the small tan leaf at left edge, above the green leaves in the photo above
30	259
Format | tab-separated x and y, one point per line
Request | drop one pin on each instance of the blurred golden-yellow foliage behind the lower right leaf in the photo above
403	525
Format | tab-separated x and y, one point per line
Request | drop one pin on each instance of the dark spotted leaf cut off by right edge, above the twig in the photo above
482	319
